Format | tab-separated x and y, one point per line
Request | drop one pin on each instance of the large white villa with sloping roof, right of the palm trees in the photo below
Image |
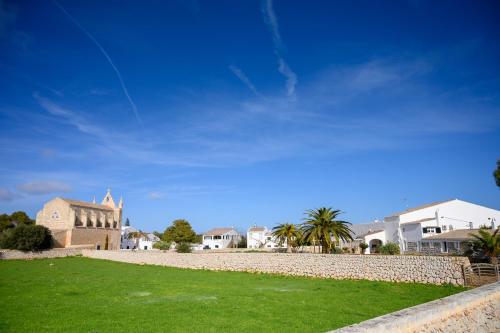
419	229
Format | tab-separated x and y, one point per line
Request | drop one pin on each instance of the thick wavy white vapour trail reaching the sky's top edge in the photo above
272	22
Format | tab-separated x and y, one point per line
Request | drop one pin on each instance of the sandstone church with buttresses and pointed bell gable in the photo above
79	223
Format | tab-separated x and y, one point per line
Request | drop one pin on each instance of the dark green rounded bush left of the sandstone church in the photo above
27	238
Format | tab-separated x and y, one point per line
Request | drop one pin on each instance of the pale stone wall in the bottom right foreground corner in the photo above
476	310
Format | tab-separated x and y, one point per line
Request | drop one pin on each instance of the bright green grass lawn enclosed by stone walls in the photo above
87	295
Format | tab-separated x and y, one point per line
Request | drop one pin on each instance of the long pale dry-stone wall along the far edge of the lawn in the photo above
422	269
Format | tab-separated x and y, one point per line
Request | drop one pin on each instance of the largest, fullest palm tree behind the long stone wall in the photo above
321	225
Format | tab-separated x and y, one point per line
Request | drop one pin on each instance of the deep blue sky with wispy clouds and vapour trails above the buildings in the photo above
249	112
